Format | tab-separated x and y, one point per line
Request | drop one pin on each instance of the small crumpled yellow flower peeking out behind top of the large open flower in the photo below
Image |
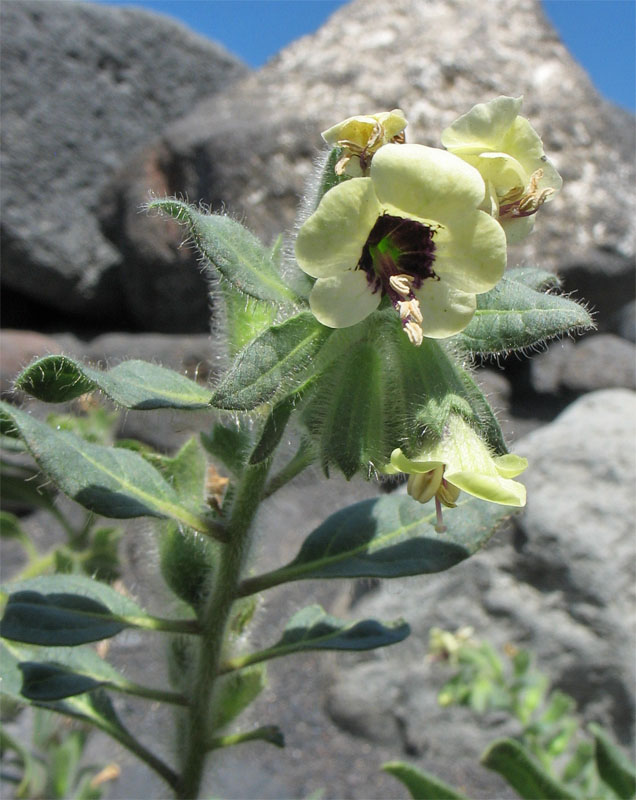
360	137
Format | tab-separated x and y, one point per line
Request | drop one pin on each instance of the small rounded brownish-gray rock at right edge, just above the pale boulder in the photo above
604	361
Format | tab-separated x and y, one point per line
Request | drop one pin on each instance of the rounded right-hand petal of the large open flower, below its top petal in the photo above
471	253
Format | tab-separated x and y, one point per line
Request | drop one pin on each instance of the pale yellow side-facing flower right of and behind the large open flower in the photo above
509	155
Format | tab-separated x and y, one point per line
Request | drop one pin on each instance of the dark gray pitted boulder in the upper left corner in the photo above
83	84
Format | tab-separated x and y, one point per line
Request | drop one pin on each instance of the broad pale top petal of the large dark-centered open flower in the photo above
426	182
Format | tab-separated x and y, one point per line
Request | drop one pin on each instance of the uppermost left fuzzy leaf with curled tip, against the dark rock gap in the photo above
231	250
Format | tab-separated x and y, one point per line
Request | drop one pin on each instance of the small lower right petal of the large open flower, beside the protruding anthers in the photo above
445	310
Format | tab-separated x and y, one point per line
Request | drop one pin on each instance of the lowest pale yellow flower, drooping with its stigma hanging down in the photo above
460	461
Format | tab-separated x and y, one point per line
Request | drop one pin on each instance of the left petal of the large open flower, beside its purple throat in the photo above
331	240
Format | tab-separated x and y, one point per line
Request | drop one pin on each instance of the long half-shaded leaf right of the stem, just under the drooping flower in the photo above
387	537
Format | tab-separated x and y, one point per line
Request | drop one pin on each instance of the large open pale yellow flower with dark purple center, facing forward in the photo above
411	231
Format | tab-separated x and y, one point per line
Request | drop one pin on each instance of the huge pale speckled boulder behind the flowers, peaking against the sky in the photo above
251	149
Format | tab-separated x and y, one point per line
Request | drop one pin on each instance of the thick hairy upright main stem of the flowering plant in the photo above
214	621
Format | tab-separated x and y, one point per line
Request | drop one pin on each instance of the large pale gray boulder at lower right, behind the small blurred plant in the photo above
565	590
